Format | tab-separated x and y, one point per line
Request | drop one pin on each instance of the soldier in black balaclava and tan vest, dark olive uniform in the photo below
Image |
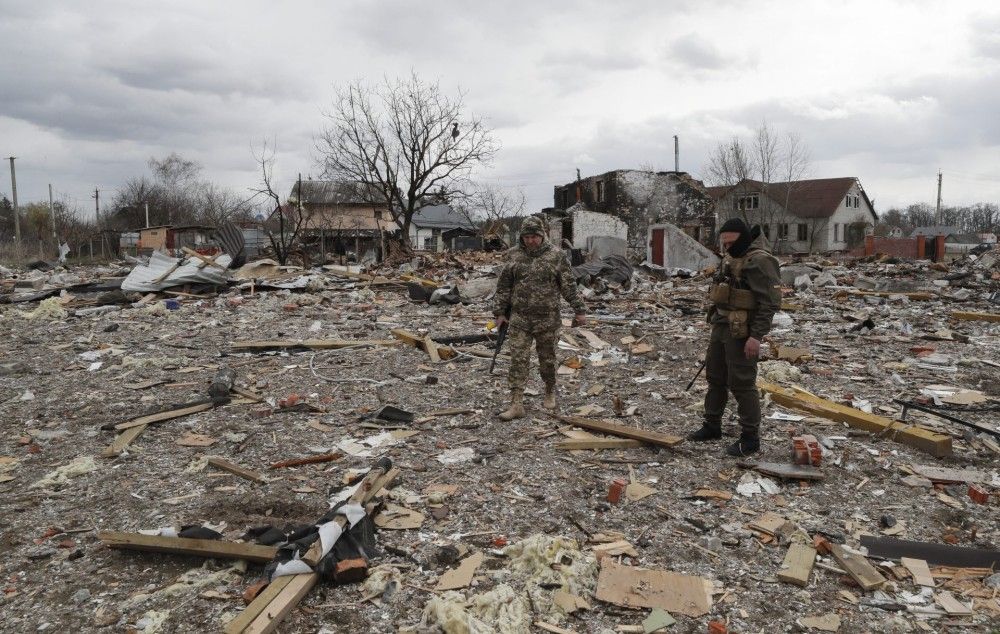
742	302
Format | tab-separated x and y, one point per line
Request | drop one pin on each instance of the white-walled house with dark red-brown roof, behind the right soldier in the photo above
805	216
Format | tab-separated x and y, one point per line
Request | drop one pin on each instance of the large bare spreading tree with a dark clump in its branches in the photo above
406	141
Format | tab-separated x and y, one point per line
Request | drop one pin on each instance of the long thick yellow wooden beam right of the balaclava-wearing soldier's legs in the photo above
917	437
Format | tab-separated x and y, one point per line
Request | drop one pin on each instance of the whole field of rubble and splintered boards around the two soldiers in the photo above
493	526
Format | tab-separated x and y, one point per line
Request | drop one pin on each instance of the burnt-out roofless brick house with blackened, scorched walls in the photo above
641	198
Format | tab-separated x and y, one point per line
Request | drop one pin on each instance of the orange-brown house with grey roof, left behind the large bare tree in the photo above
342	217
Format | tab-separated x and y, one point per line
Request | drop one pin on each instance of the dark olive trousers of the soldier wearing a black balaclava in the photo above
728	370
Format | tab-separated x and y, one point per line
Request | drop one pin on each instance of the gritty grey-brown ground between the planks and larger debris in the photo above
55	575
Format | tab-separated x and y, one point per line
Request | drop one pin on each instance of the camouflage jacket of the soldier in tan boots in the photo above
532	282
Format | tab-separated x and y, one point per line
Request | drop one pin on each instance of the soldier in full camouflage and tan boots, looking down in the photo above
535	275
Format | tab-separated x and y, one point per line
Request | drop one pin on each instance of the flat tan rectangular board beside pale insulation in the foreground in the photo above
632	587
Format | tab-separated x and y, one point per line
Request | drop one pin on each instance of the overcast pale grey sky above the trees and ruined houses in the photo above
888	91
